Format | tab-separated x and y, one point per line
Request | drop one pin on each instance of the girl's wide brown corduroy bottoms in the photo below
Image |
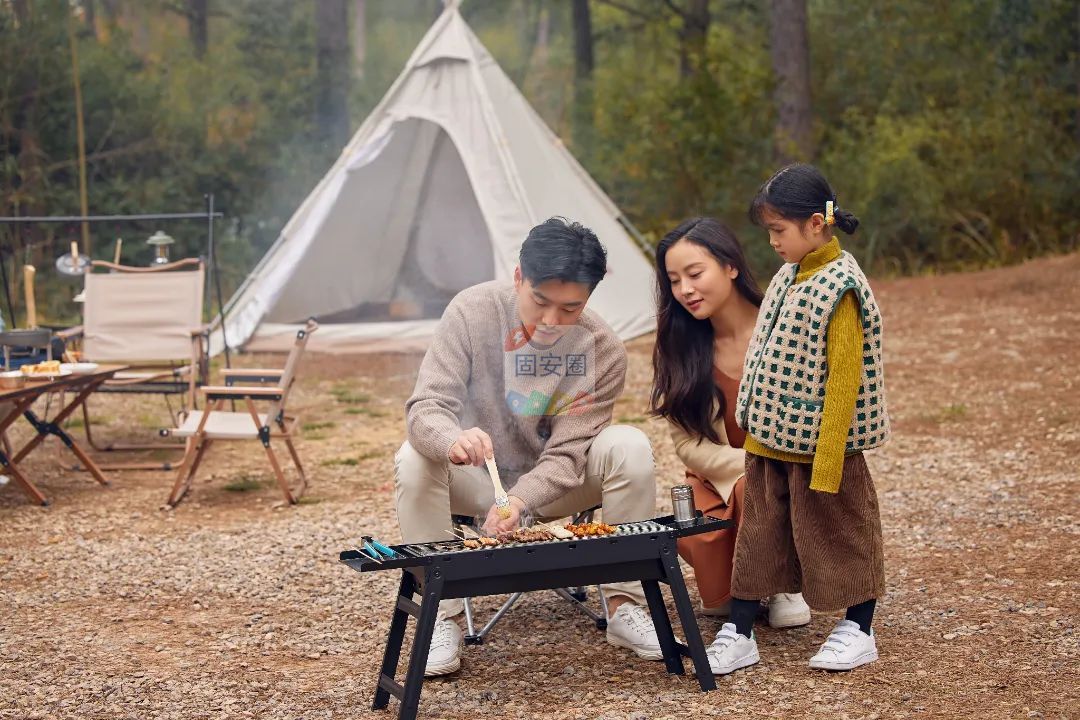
796	540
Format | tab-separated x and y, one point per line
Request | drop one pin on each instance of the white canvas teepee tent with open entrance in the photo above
436	193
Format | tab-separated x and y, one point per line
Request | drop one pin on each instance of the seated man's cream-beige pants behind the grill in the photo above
619	477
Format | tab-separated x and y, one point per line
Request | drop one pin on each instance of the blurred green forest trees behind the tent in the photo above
952	129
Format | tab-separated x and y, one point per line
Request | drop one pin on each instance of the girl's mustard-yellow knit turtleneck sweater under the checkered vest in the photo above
844	346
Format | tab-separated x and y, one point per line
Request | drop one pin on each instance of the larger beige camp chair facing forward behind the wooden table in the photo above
148	319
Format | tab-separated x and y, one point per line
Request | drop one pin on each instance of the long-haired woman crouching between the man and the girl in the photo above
707	309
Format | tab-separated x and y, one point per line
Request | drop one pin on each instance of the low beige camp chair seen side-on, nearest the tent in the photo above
202	428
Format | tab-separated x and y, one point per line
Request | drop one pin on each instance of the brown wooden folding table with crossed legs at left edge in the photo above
19	402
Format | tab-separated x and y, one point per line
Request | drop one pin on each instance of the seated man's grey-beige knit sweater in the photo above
464	384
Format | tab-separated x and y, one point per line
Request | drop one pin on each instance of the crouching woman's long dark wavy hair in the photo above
684	390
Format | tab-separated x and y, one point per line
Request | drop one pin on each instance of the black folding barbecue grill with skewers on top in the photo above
644	551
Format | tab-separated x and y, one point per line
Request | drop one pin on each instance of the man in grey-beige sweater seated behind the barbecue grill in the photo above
524	374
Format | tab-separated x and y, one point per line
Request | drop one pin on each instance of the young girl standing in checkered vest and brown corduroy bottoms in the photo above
812	400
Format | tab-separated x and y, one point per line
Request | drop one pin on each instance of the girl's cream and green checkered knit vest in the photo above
784	385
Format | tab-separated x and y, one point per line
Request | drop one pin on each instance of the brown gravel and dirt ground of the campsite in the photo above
233	606
